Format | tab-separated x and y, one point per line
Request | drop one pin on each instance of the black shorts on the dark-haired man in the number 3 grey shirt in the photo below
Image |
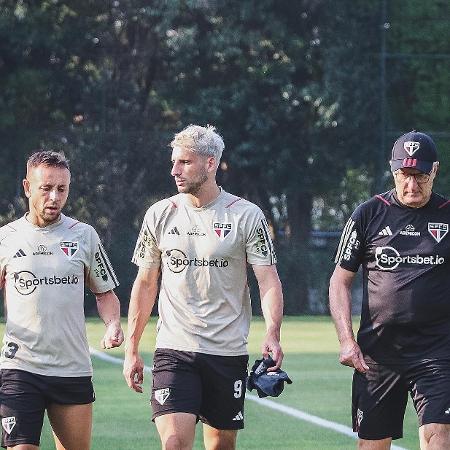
24	396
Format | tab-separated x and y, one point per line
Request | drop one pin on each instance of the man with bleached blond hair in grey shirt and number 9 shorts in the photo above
200	242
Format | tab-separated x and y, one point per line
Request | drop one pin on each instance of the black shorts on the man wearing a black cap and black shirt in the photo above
379	397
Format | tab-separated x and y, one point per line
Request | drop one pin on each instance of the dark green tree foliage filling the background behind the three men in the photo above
293	87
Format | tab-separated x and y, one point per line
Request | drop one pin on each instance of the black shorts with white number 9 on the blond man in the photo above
209	386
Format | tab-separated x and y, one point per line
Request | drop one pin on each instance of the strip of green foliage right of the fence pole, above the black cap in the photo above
418	37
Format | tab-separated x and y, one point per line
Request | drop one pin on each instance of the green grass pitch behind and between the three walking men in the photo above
321	387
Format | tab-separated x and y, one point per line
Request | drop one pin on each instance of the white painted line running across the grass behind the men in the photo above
342	429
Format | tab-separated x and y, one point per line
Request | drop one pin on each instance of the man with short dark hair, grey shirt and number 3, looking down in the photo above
46	259
